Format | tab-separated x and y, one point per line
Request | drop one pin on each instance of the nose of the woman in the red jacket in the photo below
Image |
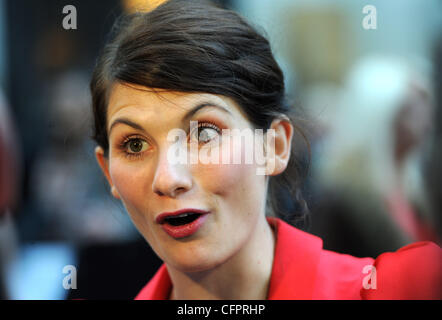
171	179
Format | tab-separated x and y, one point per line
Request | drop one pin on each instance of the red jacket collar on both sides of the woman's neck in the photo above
295	263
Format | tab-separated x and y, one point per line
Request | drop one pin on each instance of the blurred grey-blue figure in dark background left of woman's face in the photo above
62	167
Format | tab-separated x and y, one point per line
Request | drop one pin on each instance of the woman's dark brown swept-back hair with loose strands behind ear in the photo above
196	46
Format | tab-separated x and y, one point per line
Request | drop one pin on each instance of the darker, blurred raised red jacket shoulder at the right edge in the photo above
412	272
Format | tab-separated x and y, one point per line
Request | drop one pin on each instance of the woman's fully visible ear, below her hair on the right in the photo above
279	144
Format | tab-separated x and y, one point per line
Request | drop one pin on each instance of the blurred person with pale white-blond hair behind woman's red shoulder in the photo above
373	198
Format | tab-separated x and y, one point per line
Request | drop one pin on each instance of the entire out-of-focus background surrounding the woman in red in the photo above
369	102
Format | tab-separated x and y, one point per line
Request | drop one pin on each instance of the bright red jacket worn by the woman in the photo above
302	269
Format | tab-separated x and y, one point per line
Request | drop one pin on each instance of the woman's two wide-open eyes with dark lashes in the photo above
135	146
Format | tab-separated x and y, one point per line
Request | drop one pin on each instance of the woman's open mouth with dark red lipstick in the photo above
182	223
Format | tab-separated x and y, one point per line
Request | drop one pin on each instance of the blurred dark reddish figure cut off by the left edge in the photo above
9	190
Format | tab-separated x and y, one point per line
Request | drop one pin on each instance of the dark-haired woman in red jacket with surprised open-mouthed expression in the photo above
190	62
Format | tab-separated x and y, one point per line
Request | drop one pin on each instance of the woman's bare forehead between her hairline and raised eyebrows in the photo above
142	102
